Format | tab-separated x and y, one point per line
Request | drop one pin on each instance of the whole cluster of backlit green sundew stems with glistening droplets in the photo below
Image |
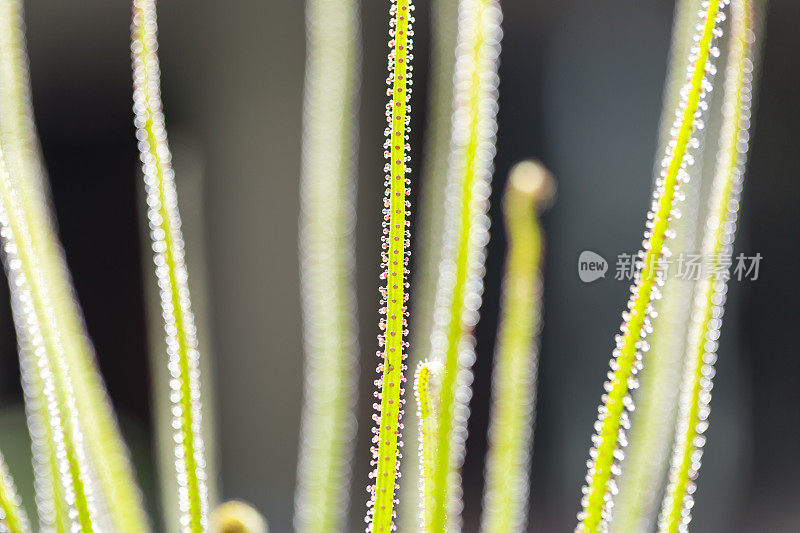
82	470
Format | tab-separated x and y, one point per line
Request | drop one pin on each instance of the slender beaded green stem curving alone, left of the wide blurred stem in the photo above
181	342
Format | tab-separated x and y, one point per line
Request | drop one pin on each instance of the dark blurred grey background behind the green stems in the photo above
581	86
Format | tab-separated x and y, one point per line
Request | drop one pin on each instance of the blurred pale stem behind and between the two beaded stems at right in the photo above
653	422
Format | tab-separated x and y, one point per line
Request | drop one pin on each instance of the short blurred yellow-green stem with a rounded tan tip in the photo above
505	503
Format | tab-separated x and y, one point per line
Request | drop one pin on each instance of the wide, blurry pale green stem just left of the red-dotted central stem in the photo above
326	262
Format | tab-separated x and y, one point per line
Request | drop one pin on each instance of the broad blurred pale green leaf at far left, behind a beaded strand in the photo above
117	495
